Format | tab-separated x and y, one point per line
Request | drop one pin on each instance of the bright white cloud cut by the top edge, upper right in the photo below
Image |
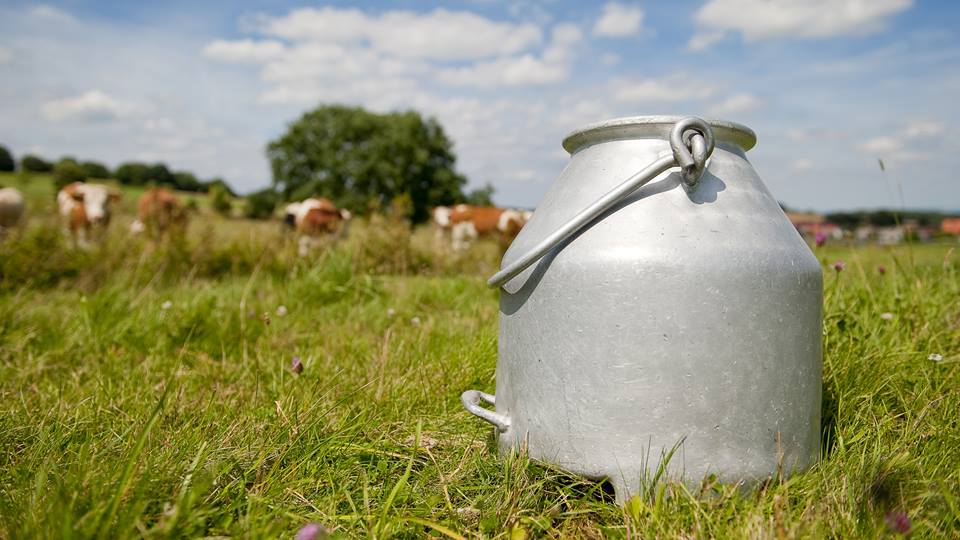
766	19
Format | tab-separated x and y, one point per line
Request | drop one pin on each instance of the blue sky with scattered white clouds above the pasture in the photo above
829	86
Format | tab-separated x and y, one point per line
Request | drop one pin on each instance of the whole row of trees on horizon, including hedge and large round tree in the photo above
364	161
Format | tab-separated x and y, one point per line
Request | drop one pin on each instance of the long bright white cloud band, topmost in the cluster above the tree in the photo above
437	35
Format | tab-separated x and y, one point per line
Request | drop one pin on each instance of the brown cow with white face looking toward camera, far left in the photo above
86	210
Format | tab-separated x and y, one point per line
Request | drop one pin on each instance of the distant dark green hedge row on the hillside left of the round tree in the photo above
69	169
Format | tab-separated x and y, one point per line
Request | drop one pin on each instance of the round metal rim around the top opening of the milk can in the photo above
644	127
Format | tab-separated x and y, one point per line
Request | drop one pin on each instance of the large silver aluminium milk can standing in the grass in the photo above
659	299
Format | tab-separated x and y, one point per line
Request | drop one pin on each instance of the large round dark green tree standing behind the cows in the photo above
365	160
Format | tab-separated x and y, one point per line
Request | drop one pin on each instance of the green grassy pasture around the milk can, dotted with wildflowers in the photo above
147	391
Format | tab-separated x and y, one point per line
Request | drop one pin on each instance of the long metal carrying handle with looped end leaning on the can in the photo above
691	140
